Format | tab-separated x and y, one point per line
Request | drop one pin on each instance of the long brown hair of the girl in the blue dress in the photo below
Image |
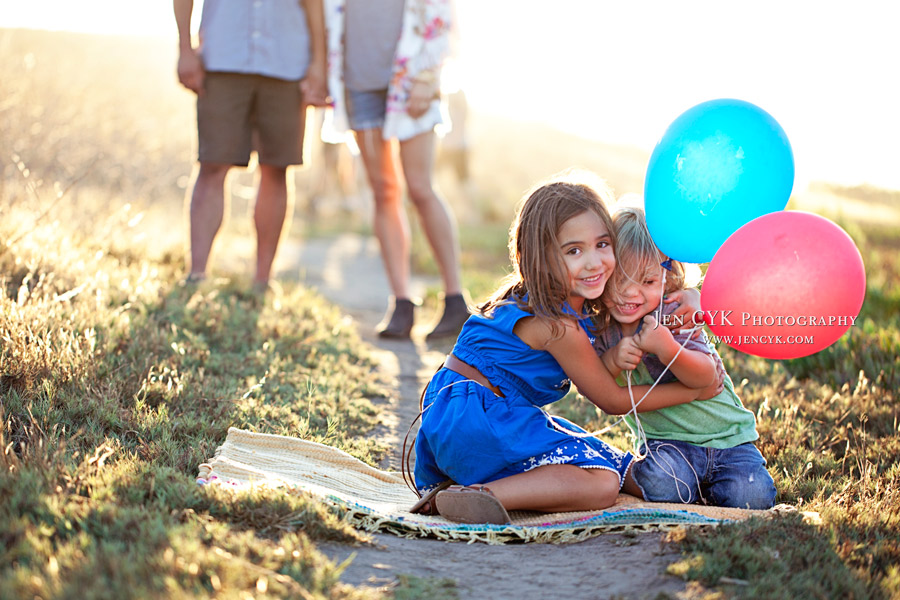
539	281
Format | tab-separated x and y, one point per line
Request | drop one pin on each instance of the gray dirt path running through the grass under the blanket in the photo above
347	270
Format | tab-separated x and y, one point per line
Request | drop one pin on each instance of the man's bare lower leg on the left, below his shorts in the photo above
206	210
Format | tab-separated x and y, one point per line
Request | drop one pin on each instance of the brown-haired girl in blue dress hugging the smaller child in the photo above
482	420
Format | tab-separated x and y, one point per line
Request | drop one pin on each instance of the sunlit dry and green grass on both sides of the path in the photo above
116	382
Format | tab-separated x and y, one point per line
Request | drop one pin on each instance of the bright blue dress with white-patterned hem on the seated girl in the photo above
471	435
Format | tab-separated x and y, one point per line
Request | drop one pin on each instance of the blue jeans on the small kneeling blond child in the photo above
680	472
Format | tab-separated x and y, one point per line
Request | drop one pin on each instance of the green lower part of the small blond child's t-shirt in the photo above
719	422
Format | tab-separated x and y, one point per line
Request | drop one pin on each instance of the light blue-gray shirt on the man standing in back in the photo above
261	37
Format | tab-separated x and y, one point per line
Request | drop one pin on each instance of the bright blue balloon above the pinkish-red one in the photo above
718	166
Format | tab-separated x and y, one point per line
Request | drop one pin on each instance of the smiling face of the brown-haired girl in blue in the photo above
588	255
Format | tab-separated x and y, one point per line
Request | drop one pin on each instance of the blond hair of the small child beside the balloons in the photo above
637	255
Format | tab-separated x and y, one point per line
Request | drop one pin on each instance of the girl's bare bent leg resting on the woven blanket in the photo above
557	488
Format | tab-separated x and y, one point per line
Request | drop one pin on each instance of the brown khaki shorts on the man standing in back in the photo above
239	113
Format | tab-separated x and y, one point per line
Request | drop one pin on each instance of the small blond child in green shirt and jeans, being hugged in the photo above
699	451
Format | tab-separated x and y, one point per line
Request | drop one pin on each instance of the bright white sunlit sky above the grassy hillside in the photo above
620	71
